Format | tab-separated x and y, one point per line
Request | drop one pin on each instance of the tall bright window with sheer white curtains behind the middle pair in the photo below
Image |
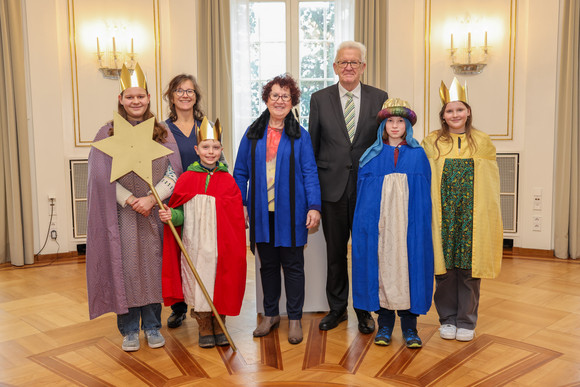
273	37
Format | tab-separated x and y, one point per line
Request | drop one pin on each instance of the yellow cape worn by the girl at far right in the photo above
487	224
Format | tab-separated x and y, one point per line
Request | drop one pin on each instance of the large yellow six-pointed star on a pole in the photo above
132	149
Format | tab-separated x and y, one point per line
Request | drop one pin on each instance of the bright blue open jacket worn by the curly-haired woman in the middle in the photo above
307	187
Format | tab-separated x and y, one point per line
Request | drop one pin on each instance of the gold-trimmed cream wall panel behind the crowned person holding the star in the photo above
87	20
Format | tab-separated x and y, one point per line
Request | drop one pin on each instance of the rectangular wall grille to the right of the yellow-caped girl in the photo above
508	164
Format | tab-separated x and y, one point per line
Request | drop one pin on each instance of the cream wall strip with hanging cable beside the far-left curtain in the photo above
47	52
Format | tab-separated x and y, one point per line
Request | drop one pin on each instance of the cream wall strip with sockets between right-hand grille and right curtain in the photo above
537	123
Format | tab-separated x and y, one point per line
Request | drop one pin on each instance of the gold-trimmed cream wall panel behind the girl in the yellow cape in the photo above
495	116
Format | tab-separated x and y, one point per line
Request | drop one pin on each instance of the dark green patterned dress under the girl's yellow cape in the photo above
457	212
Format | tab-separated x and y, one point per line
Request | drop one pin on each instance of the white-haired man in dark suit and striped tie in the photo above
342	126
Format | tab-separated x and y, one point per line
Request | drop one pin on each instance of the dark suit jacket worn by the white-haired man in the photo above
335	155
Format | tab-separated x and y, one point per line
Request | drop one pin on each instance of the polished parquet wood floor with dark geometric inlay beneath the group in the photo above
528	334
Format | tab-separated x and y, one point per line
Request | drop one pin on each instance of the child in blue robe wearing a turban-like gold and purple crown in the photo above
392	248
